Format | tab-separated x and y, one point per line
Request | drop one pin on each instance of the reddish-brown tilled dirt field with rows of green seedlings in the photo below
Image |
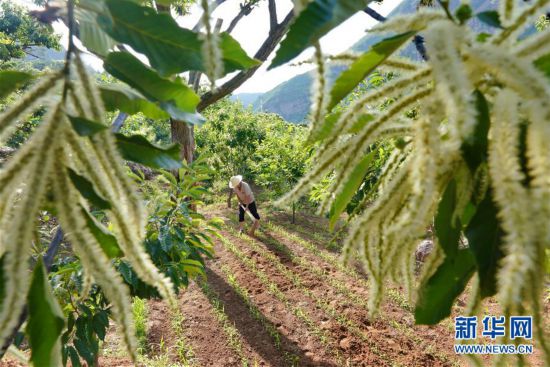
339	333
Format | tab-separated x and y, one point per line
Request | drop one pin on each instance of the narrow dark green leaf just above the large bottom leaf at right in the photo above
447	230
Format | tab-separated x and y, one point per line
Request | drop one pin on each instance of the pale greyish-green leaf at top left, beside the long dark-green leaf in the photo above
89	32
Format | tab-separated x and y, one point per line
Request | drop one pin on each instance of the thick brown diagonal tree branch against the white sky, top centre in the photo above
263	53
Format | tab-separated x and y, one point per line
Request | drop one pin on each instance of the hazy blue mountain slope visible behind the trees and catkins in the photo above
291	99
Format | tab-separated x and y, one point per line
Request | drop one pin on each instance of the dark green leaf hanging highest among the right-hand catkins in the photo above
474	148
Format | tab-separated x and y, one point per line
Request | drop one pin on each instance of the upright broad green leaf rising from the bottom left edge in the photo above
46	320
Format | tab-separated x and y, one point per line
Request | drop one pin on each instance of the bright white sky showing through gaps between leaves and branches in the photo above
253	29
